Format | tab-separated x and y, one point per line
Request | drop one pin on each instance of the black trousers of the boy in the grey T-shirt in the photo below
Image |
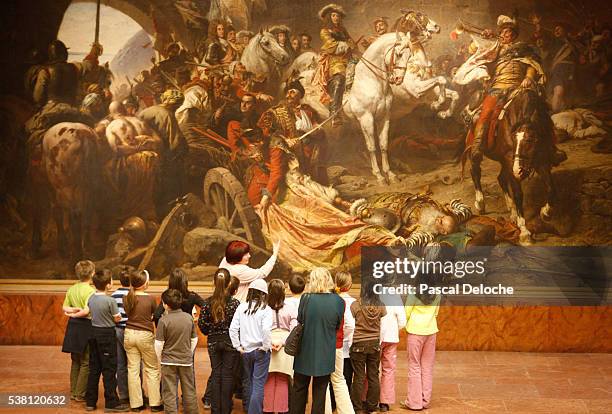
102	361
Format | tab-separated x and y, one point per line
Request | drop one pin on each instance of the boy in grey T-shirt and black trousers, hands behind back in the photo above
102	345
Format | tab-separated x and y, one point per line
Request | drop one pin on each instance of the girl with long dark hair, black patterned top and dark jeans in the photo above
215	318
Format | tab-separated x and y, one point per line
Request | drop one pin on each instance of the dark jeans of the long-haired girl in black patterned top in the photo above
223	359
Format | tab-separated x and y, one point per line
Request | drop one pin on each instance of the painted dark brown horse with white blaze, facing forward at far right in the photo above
522	144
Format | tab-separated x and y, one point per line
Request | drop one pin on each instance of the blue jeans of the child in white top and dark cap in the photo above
256	364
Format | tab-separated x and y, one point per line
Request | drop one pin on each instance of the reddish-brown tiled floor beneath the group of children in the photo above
464	382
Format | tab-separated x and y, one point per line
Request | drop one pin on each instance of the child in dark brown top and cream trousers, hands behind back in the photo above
139	342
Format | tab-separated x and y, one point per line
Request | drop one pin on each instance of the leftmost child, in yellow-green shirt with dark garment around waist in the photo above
78	329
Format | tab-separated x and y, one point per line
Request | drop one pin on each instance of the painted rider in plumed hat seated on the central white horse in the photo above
336	53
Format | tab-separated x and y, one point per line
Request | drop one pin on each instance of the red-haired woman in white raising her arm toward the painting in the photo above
236	260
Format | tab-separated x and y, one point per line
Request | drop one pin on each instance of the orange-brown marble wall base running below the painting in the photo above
36	319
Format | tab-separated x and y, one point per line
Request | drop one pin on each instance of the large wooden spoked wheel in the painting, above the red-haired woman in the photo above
228	199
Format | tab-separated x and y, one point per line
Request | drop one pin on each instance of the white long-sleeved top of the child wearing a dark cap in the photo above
251	332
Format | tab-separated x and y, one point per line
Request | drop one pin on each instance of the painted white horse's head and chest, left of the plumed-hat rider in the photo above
264	57
